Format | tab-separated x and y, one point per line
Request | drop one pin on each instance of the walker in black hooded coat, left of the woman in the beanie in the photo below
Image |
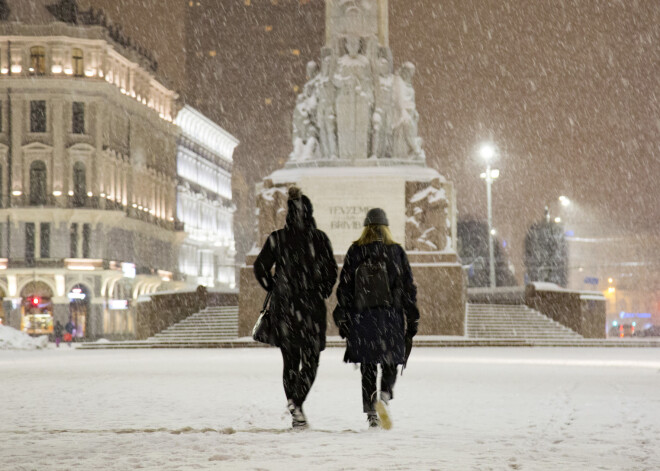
305	273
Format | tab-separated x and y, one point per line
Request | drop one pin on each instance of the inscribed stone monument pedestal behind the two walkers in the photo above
419	204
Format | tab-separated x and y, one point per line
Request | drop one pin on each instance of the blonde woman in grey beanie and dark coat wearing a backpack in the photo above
377	320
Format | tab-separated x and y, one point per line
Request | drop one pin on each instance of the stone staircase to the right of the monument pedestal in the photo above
514	321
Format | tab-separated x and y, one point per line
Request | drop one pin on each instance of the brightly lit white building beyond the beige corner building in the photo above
204	201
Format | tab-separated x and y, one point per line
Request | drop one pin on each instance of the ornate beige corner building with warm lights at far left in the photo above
88	178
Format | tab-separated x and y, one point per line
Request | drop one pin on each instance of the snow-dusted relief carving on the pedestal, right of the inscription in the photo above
428	222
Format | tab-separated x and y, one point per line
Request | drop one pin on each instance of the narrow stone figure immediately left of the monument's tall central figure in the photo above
327	118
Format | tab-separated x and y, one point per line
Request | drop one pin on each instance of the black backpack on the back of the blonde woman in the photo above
372	283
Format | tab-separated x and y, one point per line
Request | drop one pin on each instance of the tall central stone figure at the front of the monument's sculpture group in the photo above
355	99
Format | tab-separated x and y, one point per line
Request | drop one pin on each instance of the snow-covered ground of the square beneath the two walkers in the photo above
455	409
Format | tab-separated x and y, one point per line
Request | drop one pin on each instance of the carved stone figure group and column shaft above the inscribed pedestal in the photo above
355	108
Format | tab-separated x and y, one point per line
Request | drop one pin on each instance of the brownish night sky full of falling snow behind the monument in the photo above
568	90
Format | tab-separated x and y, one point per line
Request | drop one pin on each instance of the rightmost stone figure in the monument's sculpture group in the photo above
406	143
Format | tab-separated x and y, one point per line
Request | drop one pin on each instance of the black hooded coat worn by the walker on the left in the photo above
305	273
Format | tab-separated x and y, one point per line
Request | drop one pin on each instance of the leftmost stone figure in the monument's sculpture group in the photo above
305	127
